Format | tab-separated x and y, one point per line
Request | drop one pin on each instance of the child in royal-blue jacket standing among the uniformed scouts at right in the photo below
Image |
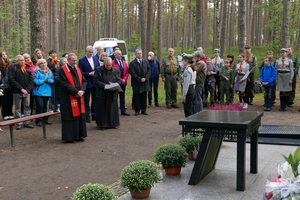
267	79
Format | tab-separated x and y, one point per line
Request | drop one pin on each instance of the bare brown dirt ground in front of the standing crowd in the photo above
38	168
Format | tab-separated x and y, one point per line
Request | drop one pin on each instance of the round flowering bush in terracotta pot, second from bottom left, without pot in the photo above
139	175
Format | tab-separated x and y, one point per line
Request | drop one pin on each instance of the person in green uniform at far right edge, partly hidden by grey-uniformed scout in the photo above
295	61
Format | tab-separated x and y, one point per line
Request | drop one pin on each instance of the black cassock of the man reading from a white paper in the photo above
107	101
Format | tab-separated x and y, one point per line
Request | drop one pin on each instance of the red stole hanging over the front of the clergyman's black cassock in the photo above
73	100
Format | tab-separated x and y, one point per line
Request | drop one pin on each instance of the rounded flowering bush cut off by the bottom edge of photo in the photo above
94	192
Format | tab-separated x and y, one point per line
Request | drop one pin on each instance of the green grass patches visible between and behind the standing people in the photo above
260	52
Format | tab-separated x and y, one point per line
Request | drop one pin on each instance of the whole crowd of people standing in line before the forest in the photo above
90	91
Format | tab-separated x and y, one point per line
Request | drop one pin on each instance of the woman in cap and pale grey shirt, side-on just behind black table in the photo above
188	85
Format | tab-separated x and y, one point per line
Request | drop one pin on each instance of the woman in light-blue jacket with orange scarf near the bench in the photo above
42	91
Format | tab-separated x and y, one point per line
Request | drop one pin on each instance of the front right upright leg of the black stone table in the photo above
241	160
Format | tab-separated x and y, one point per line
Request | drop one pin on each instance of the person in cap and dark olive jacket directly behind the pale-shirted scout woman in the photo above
201	70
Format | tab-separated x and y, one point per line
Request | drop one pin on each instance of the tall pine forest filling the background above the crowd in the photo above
71	25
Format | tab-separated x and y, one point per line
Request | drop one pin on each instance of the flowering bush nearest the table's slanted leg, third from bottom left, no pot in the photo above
170	155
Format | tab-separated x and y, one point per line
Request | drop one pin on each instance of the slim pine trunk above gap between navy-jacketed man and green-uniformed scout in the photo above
159	29
